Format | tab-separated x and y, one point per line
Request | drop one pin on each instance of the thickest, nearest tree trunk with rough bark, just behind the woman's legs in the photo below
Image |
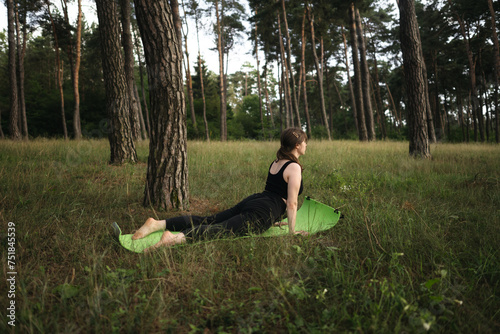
167	175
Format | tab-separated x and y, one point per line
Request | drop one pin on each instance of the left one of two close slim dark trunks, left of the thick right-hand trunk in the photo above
358	90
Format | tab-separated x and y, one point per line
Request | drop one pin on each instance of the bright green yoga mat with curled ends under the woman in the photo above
312	217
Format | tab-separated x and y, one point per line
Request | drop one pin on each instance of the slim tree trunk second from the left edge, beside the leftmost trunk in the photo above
21	51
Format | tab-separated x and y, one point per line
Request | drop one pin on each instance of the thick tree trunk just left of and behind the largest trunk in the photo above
117	100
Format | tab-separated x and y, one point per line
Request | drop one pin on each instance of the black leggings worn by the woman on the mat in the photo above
253	215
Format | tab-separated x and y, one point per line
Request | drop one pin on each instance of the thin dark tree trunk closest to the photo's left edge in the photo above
14	103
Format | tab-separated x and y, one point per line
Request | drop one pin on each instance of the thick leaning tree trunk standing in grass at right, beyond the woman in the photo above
415	85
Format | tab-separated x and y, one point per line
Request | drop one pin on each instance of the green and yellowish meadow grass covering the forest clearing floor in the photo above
416	252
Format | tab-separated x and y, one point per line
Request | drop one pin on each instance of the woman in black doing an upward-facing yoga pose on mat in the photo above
256	213
